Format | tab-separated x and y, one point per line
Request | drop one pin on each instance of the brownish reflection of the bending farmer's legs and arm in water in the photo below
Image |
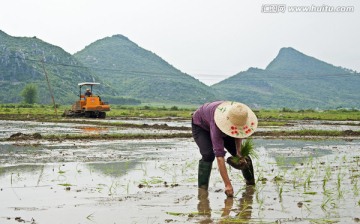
243	209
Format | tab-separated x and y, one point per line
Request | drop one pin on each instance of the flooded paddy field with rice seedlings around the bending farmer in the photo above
155	180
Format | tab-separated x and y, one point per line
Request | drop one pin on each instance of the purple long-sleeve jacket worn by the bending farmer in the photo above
204	118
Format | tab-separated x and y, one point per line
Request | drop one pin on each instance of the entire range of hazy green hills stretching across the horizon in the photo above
291	80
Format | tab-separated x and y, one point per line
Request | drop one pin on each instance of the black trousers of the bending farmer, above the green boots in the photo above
203	140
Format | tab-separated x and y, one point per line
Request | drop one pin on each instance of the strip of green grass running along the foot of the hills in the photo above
268	117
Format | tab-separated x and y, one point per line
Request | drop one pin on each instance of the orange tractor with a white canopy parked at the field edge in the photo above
88	105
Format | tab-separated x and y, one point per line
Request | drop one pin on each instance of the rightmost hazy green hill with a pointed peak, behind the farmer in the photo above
294	80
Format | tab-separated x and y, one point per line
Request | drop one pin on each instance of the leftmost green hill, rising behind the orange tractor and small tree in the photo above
25	60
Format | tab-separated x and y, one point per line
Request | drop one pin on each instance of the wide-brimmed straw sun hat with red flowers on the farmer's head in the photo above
235	119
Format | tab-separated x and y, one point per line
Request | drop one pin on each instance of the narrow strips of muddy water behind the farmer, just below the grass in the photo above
7	128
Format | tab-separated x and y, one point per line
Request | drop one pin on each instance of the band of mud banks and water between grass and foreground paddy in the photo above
79	129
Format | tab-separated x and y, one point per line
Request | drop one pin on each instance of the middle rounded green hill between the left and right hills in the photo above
139	73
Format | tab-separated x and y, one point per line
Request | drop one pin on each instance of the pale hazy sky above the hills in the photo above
208	39
